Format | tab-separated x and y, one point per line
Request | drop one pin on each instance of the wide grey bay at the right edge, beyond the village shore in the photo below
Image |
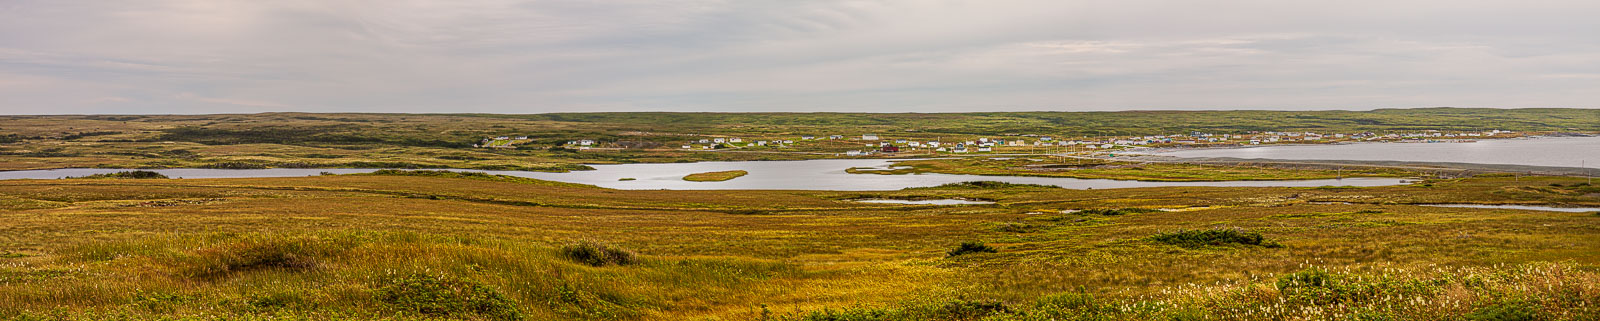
1562	153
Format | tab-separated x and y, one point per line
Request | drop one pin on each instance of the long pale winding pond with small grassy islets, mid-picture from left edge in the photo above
812	175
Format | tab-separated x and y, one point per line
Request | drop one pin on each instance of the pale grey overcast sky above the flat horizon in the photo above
502	57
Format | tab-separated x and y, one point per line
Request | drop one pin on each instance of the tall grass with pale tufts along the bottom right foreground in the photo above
1516	293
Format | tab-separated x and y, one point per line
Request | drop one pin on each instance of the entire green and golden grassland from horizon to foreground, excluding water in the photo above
438	245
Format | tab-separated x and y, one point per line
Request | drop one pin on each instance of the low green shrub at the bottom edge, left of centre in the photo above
446	298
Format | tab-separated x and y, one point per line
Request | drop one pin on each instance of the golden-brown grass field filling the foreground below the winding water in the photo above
407	245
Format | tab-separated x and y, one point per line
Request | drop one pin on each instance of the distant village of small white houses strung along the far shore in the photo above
918	145
